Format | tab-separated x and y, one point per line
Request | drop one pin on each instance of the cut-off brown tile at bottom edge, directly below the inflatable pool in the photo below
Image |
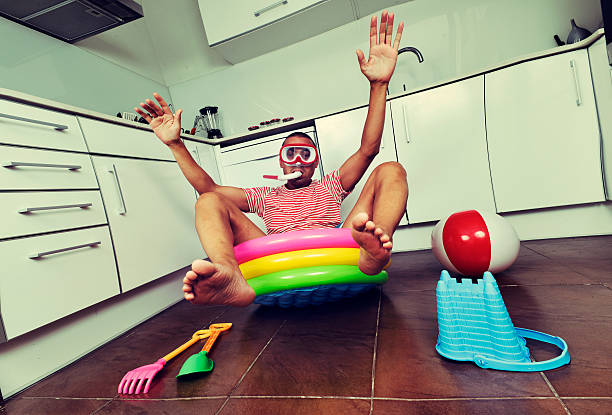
296	406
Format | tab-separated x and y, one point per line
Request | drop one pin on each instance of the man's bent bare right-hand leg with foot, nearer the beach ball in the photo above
377	213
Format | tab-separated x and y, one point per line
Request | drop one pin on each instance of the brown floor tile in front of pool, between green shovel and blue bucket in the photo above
301	362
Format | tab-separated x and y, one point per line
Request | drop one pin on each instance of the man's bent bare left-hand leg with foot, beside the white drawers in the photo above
220	225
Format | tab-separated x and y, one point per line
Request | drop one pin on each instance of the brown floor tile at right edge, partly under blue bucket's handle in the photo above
582	316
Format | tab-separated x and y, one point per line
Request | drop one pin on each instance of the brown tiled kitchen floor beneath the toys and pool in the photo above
372	354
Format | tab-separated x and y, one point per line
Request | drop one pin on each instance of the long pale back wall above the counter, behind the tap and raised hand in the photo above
321	75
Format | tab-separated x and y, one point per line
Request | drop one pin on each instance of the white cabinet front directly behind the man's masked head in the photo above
243	165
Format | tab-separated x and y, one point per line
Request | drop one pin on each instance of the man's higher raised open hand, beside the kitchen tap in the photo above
383	55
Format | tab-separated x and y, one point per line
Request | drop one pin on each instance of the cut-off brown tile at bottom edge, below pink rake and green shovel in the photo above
163	407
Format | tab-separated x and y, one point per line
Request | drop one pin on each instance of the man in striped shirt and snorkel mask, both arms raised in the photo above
301	203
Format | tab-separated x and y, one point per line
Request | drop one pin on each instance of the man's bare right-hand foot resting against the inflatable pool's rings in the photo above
374	242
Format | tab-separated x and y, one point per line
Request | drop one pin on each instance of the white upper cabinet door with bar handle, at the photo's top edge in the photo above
227	19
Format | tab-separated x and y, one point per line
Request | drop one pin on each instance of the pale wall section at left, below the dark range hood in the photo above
43	66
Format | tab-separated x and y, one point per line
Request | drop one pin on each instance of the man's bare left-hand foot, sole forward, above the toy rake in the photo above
209	283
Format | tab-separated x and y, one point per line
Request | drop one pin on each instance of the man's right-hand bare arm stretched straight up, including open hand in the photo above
378	70
